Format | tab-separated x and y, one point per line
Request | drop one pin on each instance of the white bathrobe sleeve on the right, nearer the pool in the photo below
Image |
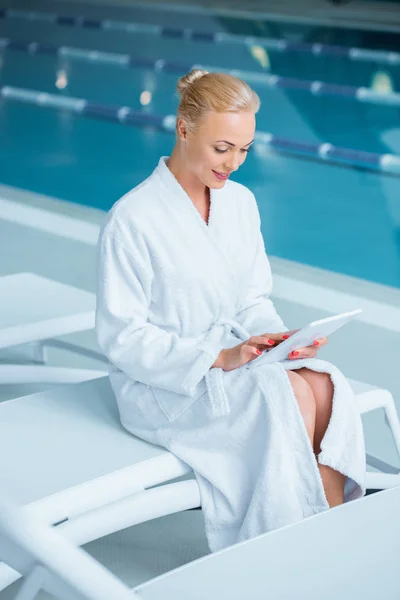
256	312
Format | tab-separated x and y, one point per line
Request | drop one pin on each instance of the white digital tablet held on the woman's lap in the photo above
304	337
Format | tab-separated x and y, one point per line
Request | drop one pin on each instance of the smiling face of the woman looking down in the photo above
219	146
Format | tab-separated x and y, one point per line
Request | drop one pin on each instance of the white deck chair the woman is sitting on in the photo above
78	468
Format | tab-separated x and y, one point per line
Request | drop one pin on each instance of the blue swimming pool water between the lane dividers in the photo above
337	217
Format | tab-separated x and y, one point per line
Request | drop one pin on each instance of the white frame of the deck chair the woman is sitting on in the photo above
128	496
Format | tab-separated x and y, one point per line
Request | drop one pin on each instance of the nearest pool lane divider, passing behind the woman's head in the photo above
325	152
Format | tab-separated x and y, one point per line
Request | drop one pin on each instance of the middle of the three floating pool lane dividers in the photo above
317	88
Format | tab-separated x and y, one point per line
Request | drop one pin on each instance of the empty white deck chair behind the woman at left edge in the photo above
34	310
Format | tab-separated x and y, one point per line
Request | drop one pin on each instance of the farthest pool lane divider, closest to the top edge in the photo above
271	44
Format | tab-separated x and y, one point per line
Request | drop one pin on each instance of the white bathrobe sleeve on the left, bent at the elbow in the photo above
145	352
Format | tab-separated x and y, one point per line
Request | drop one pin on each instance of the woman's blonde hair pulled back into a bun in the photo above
201	92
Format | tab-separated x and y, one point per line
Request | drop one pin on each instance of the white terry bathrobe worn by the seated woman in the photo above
174	291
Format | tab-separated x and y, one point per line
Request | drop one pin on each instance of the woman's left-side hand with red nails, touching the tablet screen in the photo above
232	358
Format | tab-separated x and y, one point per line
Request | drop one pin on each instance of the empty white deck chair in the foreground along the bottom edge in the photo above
351	551
